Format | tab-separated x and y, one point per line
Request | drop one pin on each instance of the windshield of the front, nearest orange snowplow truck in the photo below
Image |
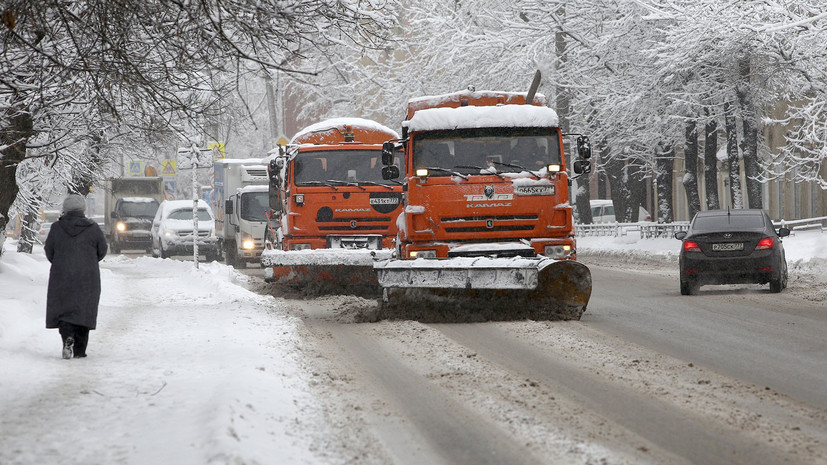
484	150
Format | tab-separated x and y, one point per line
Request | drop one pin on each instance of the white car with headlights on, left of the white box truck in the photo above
172	232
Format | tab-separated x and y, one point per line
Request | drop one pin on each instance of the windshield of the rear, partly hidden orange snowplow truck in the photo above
348	166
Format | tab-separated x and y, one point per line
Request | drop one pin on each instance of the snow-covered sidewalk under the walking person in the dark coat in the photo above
186	367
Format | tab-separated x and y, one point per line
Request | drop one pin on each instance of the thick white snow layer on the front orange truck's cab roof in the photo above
470	117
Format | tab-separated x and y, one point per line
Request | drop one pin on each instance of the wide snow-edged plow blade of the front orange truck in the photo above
484	289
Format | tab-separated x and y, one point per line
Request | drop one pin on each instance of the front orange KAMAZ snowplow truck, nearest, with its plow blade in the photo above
487	223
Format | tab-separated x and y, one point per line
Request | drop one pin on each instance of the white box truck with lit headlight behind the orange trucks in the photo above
240	202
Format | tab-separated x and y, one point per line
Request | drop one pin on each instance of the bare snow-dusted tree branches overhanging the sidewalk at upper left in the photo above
75	75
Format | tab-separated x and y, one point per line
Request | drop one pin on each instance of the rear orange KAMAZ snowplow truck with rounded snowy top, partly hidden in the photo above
334	211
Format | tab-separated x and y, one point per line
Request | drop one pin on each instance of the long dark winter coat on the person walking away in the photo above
74	246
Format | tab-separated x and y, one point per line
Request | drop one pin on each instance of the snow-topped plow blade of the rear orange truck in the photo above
323	271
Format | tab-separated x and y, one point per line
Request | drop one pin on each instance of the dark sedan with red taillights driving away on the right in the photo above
732	247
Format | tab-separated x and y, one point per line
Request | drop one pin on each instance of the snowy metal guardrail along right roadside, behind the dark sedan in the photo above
649	230
